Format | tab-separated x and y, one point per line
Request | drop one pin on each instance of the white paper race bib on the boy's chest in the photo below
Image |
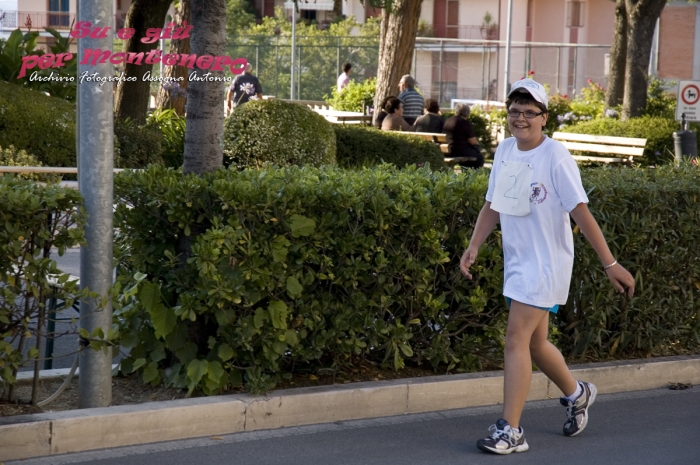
512	191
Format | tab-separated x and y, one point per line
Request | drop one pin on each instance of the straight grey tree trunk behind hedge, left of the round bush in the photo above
205	101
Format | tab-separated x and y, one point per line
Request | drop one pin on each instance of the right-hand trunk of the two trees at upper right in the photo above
641	22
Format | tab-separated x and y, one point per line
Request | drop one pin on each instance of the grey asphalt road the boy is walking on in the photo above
658	427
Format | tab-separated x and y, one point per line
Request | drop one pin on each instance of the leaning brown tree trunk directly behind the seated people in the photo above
397	41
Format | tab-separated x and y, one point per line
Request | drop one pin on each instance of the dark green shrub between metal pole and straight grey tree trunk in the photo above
136	146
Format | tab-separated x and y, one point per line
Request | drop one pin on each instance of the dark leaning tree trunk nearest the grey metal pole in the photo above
132	97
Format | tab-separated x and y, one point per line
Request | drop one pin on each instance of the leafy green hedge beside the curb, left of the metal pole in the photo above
35	219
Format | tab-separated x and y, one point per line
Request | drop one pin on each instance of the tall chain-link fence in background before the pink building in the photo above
445	69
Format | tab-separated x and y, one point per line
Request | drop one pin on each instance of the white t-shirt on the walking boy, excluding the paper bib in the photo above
538	248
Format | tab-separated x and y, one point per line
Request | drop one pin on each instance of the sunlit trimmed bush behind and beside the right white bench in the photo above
657	131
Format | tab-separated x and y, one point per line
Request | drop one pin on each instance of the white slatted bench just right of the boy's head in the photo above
584	147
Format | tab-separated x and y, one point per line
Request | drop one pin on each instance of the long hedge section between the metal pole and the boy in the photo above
302	268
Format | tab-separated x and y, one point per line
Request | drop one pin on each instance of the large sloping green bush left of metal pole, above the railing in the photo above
43	126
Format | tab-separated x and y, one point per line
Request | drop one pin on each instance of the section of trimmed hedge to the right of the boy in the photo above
650	219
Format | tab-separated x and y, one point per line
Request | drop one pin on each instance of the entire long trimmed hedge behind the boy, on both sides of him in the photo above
246	276
